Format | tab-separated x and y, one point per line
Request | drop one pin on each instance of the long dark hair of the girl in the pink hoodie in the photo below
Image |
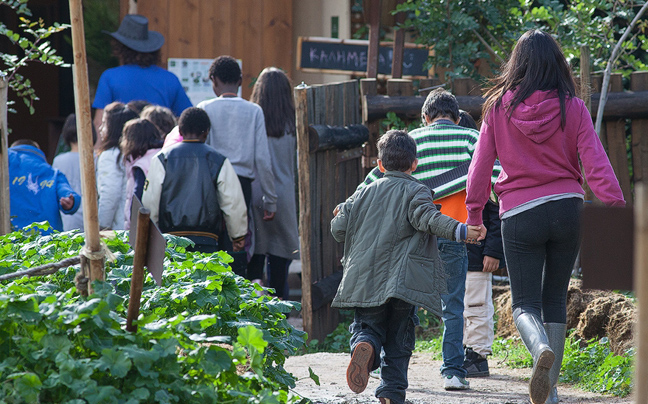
537	63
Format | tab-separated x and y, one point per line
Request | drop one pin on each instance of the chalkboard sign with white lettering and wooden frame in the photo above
326	54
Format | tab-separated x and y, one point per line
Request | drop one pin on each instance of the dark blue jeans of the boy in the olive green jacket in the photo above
389	328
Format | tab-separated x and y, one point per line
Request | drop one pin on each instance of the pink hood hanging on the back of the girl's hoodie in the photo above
537	117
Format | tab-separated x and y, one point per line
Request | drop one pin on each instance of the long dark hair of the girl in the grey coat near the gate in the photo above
273	92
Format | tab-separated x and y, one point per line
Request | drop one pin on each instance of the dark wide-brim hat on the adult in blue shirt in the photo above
133	33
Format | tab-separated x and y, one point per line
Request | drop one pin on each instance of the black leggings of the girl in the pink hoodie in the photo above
540	246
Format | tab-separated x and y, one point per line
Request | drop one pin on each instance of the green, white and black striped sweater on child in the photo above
441	147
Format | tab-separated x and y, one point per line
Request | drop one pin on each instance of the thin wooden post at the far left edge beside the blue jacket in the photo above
5	202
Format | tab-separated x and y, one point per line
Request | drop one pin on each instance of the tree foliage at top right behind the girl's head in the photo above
456	30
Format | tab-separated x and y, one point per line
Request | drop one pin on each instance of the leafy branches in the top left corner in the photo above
32	45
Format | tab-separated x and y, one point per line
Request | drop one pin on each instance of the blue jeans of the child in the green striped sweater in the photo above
455	260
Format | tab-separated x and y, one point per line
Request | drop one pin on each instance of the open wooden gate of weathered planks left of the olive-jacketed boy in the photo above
327	176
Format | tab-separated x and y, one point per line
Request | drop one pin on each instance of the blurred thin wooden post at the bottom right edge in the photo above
641	291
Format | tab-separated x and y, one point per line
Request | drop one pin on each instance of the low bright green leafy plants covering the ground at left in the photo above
56	346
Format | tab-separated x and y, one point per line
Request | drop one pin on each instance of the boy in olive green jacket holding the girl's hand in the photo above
391	265
